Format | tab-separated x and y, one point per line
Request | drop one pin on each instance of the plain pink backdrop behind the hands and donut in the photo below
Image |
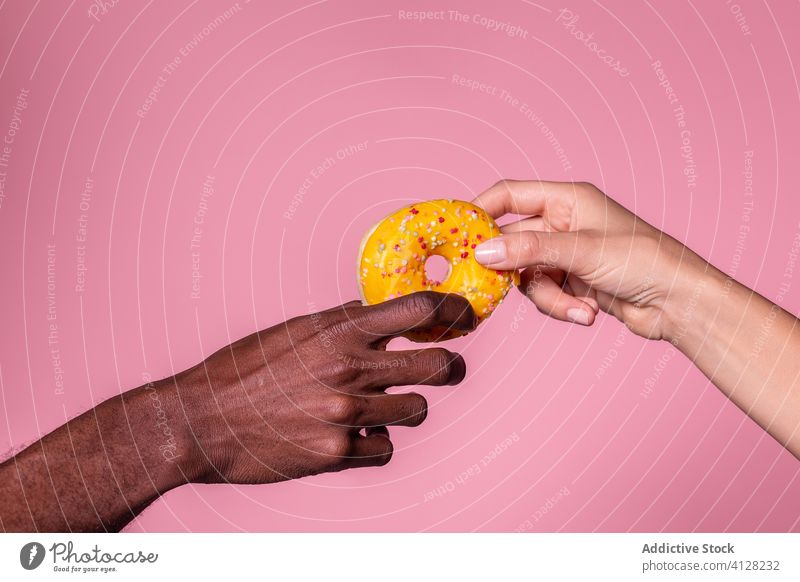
277	88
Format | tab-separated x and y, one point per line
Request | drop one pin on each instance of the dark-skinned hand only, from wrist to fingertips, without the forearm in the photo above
309	395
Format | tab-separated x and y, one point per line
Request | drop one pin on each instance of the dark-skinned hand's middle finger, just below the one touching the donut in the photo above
432	367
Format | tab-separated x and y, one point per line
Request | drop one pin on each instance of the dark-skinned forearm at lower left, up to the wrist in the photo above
98	471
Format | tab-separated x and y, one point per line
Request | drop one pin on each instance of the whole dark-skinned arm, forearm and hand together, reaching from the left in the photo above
300	398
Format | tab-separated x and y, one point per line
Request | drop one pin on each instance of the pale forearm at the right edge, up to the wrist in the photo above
747	346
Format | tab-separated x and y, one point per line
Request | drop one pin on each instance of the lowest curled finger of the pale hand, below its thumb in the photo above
552	300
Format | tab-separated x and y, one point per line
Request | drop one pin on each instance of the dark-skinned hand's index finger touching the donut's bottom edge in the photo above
419	311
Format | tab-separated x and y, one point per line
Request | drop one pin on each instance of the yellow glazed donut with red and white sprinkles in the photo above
391	260
